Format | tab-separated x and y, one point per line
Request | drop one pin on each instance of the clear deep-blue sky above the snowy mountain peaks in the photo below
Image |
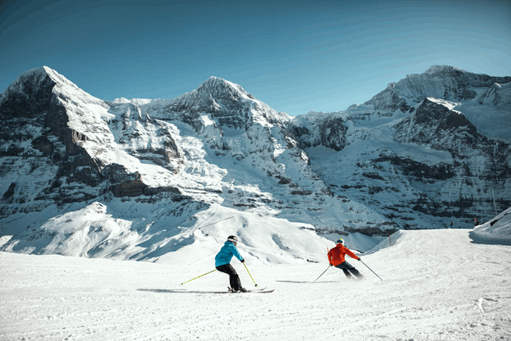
296	56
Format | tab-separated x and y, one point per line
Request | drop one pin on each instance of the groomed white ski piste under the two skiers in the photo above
437	285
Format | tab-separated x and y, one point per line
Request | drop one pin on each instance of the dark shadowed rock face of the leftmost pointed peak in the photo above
36	138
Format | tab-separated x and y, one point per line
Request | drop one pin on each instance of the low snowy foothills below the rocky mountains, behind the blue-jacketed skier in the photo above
102	231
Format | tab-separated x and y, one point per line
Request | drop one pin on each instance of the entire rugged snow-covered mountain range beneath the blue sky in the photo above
137	178
